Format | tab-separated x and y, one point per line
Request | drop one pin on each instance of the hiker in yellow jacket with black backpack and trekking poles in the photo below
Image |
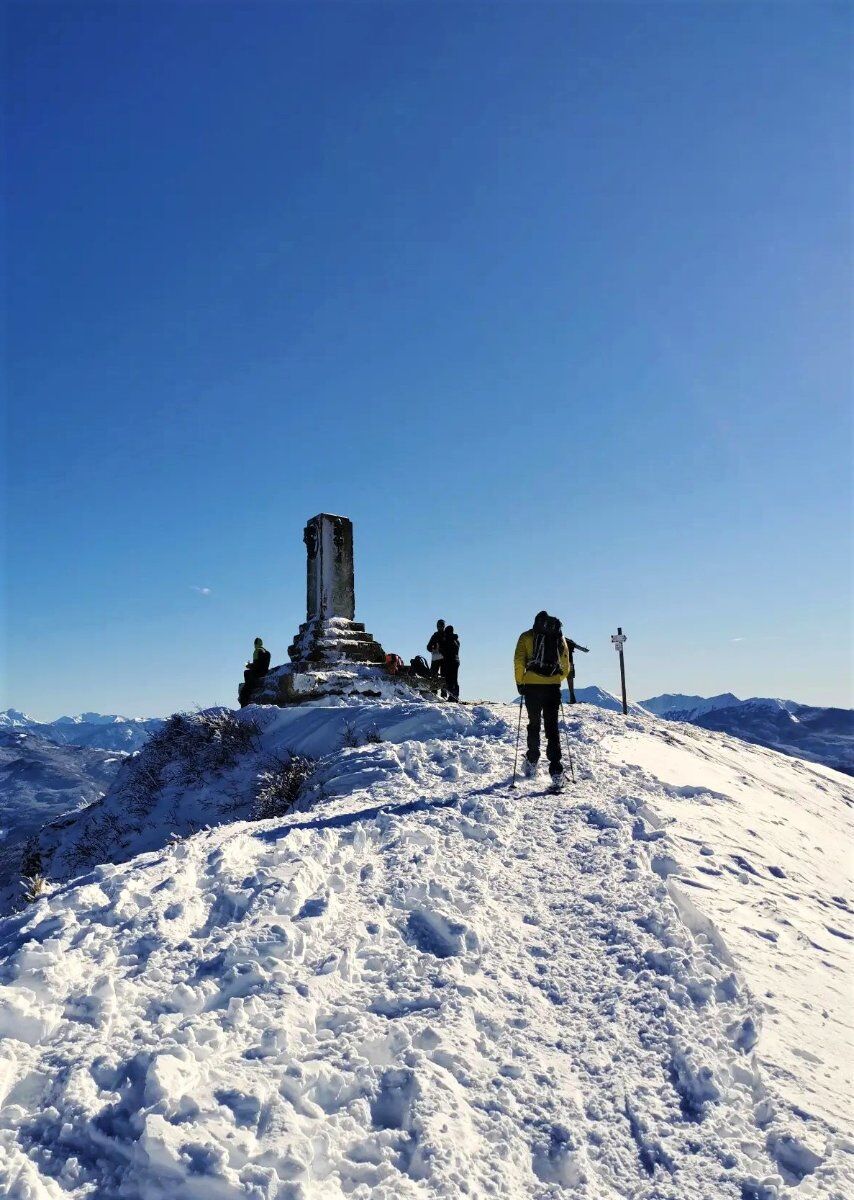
543	663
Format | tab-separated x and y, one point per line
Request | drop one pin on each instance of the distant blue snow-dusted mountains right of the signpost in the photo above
821	735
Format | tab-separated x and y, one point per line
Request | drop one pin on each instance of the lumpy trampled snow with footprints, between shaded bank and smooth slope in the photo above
425	986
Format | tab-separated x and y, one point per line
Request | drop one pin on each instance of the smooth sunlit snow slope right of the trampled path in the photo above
786	921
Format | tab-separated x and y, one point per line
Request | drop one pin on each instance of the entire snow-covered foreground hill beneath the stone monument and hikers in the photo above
420	983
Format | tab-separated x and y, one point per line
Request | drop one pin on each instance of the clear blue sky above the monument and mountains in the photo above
555	302
